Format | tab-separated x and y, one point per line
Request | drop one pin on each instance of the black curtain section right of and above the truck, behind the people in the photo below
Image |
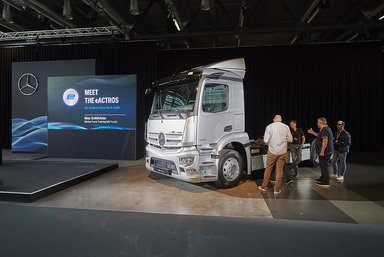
337	81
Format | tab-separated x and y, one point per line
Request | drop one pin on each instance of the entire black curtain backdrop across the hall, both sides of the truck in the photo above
337	81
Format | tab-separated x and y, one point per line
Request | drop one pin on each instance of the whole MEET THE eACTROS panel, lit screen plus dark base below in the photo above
92	117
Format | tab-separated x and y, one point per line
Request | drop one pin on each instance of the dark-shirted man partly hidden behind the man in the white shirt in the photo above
295	148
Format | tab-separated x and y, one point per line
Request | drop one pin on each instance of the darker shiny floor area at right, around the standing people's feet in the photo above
304	200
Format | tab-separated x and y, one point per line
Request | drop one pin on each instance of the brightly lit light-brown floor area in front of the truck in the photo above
132	188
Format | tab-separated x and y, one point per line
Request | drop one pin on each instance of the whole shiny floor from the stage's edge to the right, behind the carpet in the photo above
132	188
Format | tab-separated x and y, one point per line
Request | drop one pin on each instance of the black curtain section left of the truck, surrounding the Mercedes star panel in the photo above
111	58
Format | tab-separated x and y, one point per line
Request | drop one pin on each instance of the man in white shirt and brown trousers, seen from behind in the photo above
277	135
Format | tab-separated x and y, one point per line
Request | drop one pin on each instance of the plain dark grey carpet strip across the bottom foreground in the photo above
41	231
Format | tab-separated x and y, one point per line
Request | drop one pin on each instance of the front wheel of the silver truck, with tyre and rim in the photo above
231	167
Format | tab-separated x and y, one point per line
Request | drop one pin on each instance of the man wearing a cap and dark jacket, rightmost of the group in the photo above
342	145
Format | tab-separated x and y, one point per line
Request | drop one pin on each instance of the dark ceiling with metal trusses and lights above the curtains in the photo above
201	23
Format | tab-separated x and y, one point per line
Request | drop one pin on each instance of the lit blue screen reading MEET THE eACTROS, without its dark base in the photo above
92	103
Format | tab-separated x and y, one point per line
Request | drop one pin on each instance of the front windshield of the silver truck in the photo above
179	98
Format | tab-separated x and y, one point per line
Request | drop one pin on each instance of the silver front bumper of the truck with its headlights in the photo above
186	164
